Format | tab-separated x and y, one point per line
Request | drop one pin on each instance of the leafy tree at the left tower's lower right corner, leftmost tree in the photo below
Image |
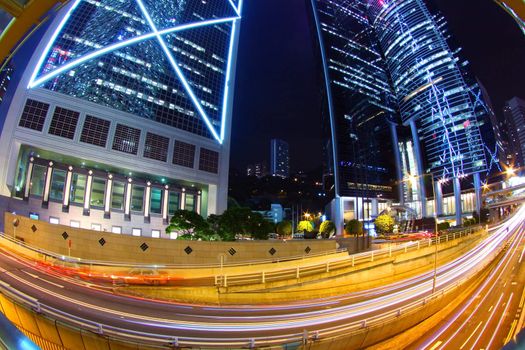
188	224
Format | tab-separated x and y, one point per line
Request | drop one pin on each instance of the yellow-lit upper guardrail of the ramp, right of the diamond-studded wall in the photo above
225	280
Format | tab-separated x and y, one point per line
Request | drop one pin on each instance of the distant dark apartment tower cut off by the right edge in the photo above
514	114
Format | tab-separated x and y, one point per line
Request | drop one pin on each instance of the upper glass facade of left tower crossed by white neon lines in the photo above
169	61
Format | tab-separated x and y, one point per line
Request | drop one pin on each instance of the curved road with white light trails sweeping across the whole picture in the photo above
264	323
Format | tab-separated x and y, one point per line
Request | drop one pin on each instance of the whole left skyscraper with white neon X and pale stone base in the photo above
125	113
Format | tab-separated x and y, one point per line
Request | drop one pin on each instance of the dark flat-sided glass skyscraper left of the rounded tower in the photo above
360	108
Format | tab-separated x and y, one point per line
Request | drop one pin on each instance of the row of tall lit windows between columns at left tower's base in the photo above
77	192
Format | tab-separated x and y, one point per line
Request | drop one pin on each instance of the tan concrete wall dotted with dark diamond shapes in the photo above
105	246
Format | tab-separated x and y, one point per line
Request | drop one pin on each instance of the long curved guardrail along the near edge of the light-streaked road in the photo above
162	341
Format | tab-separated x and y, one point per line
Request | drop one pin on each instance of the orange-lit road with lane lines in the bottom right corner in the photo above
493	315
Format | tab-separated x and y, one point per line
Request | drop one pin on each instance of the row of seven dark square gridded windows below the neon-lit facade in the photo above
95	131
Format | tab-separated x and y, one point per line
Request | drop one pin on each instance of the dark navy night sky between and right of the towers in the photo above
277	91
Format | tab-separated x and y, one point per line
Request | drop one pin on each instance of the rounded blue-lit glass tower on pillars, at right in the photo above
434	99
